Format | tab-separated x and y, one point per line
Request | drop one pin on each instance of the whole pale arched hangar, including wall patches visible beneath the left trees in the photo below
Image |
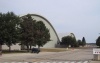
53	35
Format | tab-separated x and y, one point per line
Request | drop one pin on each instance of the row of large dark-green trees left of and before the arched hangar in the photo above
23	30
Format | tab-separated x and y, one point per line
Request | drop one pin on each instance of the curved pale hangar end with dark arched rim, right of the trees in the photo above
54	36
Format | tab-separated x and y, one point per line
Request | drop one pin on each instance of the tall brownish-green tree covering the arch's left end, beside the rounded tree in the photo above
28	31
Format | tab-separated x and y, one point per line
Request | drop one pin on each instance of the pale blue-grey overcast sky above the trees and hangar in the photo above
81	17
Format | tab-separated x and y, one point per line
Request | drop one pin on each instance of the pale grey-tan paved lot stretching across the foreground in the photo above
72	56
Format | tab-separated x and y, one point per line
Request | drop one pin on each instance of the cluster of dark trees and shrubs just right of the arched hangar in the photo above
72	42
